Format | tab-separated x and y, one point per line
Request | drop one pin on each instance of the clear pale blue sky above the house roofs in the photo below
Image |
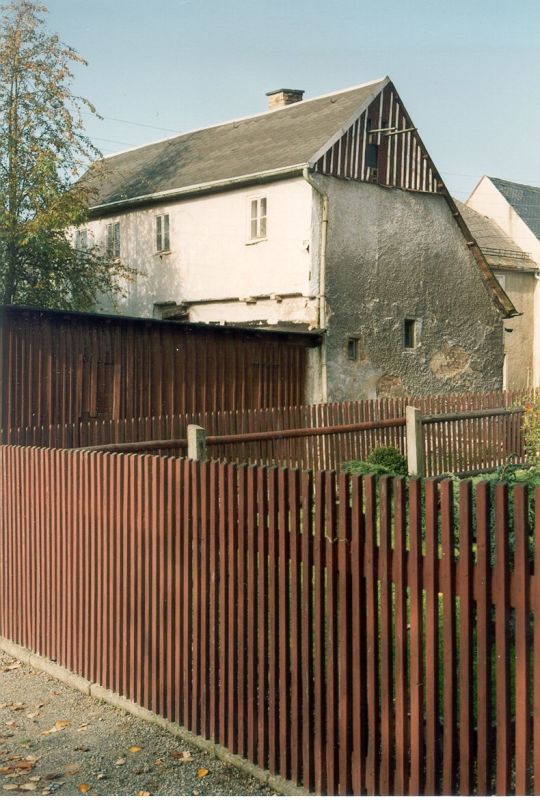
468	72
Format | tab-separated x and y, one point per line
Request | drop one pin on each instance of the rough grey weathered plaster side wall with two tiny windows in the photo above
392	255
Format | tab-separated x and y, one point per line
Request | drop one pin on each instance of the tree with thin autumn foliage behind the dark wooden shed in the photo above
43	150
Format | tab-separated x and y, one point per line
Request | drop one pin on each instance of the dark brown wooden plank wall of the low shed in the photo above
61	368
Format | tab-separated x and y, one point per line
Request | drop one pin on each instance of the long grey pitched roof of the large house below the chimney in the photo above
275	140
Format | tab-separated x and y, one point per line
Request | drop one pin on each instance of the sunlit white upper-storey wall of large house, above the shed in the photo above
213	256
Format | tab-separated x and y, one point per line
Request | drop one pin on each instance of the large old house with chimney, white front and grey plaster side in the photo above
325	214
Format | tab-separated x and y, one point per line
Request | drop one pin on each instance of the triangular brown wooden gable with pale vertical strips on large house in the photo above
382	146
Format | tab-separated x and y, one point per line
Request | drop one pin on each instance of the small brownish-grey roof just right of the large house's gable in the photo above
499	249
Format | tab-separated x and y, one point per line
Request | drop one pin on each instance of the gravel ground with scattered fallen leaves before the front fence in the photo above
56	741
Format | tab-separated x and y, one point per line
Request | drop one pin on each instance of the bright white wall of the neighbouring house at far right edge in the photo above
487	200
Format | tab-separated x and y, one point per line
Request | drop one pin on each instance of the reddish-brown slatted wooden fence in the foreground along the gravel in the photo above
347	636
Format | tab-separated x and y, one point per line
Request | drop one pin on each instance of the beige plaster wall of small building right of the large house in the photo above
518	331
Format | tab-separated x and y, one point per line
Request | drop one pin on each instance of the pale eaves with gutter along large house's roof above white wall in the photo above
224	184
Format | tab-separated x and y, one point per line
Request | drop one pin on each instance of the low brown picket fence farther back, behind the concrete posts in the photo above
450	446
